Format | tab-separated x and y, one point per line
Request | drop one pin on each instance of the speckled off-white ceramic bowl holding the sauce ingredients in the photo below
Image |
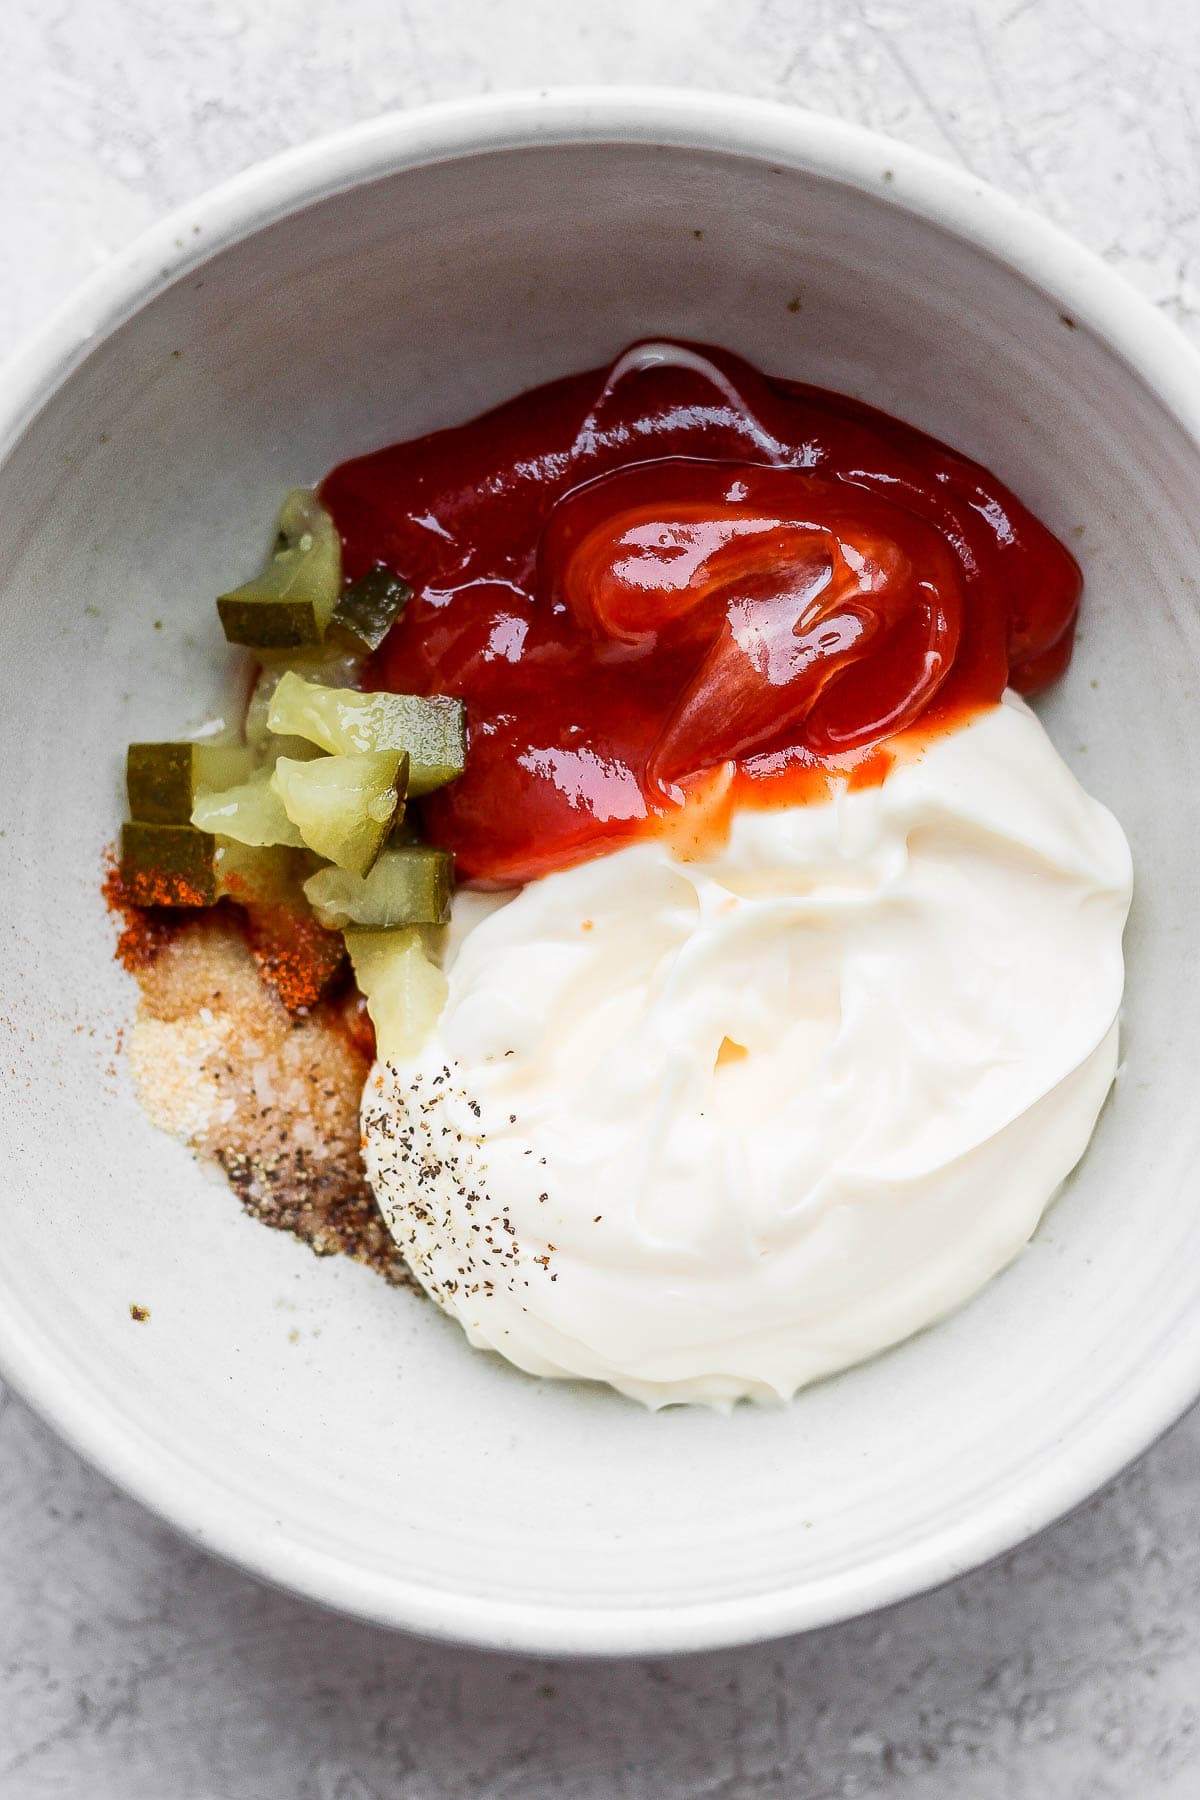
399	278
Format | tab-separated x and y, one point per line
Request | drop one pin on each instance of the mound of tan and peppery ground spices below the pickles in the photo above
271	1097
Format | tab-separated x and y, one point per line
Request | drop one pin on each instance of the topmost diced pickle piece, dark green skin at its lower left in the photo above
291	602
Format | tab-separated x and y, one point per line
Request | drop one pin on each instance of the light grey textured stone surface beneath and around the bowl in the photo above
138	1669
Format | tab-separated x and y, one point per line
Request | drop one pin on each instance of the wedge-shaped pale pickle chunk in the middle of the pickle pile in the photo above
345	807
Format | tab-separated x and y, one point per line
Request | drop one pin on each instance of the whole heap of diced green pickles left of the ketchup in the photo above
305	825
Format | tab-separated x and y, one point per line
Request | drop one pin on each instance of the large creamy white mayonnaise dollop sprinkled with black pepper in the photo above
715	1129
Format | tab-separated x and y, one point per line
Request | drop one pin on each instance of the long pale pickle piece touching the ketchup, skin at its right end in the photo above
341	719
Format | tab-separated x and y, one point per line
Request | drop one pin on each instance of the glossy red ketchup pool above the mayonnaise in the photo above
674	588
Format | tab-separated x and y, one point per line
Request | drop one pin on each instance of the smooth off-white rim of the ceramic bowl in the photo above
1095	298
